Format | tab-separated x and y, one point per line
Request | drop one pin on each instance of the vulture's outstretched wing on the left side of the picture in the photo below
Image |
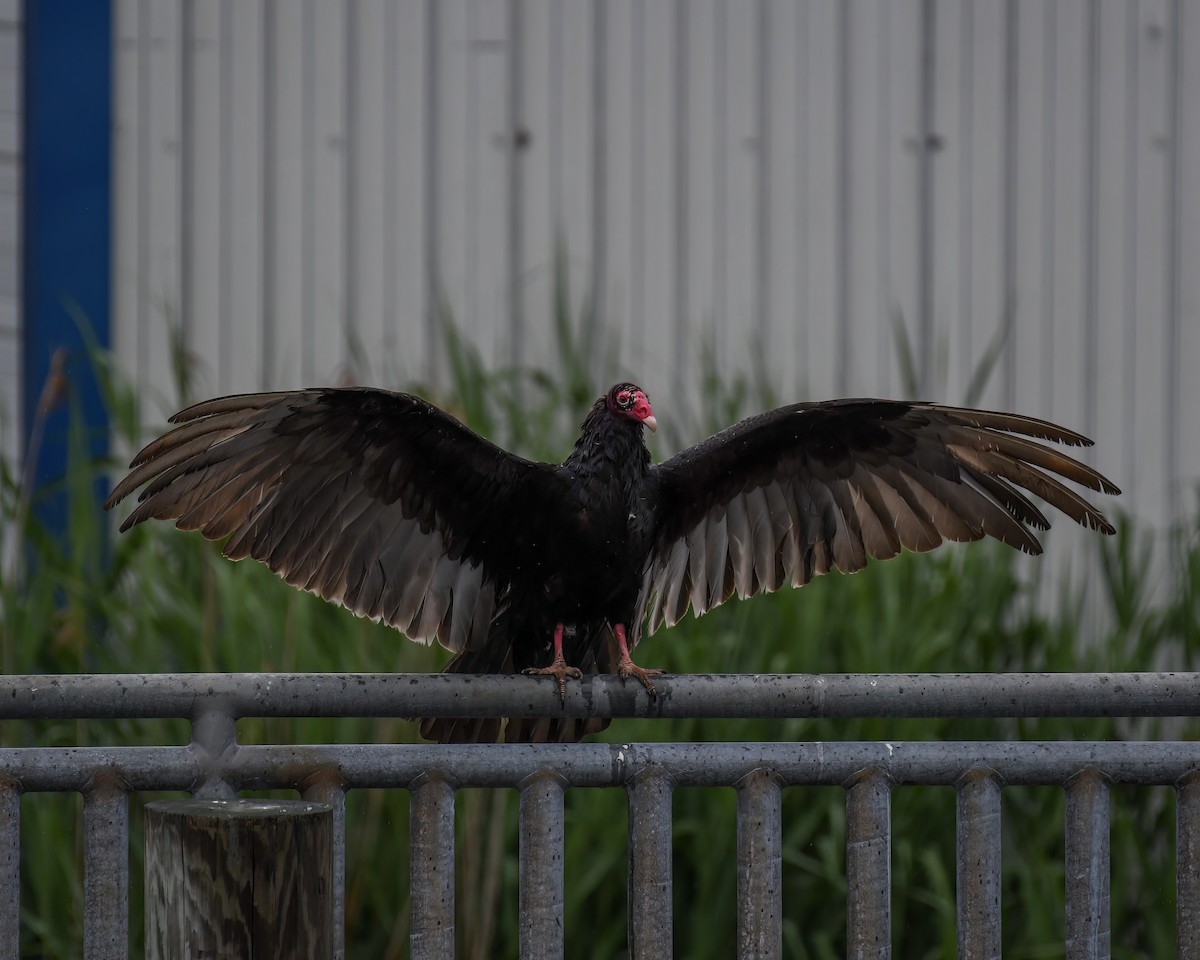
371	500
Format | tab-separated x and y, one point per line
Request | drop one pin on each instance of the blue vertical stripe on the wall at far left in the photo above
67	230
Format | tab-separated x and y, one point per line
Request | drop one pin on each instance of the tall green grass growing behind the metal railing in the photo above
157	601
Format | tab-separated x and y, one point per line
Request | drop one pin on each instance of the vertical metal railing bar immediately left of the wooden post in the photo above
106	872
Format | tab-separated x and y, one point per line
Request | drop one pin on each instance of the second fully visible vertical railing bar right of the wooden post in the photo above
542	867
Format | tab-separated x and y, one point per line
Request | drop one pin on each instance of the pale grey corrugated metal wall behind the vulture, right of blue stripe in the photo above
779	182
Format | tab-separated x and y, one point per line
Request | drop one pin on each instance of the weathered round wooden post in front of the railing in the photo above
239	879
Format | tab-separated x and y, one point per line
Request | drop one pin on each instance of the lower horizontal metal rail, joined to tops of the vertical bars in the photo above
599	765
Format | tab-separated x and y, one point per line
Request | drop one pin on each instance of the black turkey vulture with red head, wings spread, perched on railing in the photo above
388	506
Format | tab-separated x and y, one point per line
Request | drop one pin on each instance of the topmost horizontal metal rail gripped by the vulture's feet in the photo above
779	695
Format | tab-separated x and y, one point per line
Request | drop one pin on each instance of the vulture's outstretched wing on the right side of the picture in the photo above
785	496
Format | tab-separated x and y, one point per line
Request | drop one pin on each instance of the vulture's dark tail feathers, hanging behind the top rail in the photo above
593	650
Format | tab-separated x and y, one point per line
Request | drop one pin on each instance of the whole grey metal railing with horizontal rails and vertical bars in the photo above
214	765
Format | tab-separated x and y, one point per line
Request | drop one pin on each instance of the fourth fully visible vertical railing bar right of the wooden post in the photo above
760	867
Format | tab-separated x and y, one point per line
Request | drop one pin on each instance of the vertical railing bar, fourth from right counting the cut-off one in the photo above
869	867
